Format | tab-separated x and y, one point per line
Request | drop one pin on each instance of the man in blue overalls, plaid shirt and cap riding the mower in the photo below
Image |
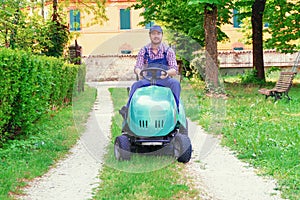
156	54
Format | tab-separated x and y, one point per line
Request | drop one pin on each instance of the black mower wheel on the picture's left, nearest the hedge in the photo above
122	148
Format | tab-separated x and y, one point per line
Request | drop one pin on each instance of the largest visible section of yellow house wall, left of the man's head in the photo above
108	38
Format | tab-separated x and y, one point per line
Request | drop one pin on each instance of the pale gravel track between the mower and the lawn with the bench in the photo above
220	175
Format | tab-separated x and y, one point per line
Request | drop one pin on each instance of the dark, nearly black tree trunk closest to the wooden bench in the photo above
258	8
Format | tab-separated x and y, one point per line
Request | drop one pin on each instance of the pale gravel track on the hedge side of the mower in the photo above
75	177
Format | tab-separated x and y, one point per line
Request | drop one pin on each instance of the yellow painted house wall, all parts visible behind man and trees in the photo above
109	39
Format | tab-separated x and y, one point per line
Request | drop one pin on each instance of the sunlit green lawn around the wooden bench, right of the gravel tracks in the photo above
262	132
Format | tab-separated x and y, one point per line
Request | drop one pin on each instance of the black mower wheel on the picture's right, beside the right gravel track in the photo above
182	148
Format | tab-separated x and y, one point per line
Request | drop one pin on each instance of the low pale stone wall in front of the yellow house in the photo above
120	67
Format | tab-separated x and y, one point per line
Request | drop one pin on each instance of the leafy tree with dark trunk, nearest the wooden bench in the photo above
281	17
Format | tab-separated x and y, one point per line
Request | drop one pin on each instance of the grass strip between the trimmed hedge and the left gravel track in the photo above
50	139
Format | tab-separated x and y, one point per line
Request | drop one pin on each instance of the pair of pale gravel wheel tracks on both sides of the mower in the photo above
215	170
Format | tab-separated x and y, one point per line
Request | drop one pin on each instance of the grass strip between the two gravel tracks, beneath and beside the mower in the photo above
143	177
